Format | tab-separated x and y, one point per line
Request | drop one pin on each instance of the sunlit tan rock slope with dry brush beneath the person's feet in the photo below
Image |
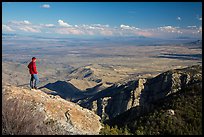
34	112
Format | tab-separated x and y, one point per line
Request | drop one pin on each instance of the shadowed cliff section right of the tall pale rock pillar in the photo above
170	82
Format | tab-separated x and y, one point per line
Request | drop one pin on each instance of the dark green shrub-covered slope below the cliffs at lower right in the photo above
186	120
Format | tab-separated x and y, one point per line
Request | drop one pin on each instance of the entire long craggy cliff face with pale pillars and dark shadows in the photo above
142	93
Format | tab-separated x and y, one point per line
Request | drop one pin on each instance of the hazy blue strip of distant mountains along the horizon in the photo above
130	40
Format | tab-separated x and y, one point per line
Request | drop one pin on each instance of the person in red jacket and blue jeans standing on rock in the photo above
33	72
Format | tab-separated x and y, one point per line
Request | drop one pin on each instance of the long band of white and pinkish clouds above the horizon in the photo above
101	29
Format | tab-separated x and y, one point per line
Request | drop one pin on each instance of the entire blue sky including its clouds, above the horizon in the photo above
82	19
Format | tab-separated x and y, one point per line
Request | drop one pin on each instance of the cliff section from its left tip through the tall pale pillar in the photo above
115	99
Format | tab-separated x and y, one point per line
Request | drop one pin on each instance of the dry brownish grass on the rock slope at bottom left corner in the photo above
19	118
